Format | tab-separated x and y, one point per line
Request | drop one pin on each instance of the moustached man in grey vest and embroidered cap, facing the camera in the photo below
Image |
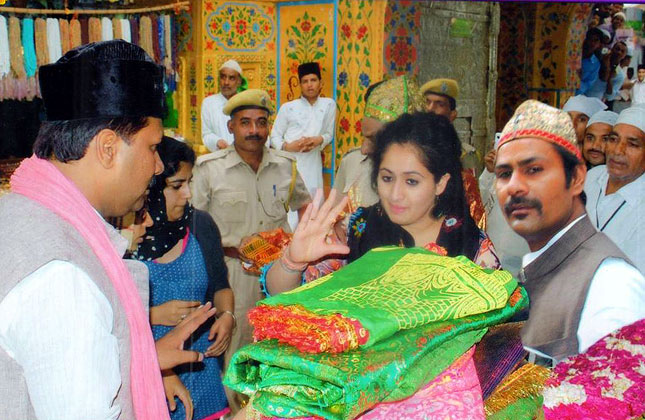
580	285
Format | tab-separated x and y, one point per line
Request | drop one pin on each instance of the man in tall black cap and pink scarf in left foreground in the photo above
75	341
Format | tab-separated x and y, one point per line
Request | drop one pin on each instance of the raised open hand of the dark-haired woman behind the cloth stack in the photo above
313	238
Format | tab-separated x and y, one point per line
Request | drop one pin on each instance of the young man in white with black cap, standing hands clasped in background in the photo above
305	126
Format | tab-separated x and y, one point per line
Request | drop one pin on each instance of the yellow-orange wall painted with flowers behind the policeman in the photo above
269	39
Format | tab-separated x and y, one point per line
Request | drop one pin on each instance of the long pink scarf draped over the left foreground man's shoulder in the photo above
41	181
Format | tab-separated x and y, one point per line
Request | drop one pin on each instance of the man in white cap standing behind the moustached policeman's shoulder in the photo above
215	133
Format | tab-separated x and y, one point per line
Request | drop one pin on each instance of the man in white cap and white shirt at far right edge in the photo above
616	191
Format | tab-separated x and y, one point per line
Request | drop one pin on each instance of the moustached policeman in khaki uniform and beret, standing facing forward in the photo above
247	188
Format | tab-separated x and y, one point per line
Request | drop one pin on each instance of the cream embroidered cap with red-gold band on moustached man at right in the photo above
533	119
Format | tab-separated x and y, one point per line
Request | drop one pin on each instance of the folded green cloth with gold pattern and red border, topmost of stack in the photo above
386	290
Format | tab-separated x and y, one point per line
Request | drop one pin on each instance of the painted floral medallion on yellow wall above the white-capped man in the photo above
237	27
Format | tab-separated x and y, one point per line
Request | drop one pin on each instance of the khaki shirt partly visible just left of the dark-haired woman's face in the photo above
354	179
